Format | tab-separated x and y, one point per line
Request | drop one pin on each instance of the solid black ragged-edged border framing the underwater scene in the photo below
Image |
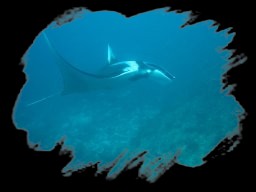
24	20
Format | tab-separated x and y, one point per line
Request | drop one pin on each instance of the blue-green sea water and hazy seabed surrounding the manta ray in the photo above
184	120
